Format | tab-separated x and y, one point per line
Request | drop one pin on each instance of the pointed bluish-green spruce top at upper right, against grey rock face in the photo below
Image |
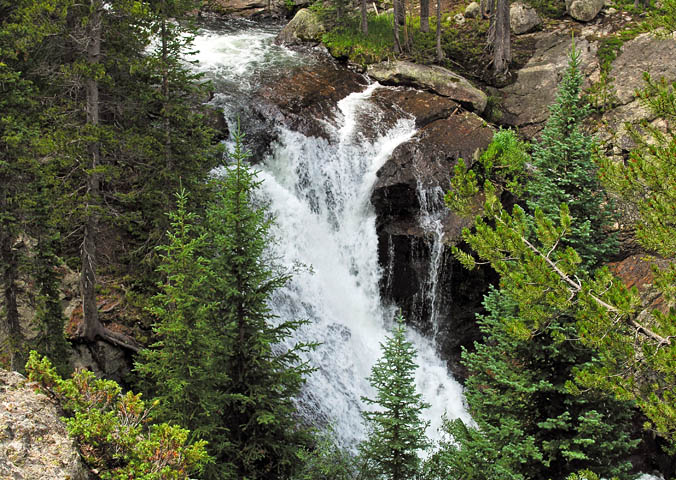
566	173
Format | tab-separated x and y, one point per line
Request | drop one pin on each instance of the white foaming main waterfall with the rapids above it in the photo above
319	190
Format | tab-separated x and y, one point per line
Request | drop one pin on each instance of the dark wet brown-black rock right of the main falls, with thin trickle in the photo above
419	172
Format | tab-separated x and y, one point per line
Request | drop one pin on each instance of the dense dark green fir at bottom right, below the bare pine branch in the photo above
528	424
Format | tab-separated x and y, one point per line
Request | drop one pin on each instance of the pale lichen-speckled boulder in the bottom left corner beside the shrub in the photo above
34	444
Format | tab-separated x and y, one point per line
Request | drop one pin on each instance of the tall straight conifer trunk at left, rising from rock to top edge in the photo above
91	324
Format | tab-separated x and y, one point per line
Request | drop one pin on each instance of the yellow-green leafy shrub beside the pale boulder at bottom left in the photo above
113	428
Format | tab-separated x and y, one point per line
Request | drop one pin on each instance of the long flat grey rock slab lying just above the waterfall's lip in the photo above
433	78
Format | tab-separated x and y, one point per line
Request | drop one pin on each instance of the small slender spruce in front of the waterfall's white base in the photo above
396	433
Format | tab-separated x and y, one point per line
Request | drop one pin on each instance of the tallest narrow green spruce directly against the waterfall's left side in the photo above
265	435
